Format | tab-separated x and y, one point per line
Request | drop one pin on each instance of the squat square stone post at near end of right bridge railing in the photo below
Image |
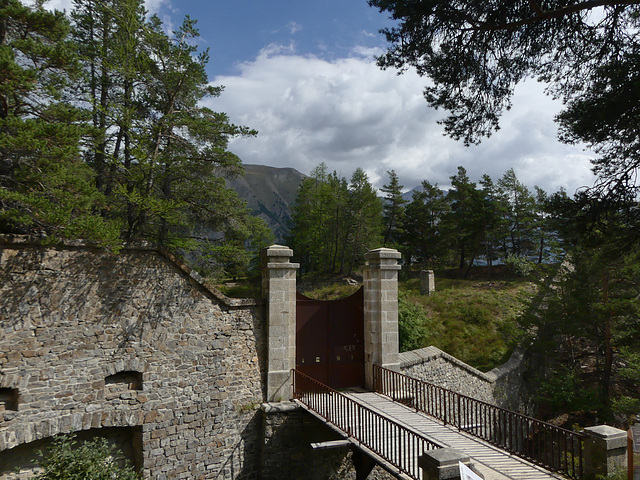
605	450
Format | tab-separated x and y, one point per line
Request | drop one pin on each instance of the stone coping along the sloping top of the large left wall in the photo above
21	241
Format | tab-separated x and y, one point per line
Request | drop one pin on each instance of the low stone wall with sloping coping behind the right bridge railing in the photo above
501	386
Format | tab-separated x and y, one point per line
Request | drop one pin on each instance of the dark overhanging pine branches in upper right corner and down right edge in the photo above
586	51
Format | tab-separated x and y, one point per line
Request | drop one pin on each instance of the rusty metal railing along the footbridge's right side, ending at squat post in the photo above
551	447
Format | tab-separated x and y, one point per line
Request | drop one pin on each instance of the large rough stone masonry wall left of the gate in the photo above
92	340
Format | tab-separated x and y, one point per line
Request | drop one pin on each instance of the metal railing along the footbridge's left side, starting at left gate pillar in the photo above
391	441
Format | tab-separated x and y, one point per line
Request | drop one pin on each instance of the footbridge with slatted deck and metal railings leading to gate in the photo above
404	418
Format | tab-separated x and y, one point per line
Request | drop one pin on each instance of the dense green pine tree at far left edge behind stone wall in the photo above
44	185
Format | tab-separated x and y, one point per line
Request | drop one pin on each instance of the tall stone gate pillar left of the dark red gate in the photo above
279	293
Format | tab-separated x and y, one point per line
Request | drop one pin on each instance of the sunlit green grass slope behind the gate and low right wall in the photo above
474	320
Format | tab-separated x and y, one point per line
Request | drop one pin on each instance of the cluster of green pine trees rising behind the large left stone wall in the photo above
103	134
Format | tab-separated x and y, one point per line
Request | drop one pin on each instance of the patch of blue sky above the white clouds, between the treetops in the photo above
236	30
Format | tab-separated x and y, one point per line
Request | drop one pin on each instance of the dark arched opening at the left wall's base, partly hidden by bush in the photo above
21	461
